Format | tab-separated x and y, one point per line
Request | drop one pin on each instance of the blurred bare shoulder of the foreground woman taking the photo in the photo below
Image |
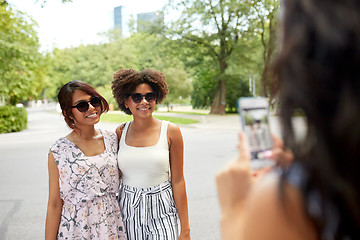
272	215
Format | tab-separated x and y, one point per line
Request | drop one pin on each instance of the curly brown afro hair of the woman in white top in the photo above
126	80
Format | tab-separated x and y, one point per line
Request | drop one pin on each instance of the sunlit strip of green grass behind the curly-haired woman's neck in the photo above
115	117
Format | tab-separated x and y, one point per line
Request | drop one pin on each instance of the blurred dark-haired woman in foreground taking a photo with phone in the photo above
318	196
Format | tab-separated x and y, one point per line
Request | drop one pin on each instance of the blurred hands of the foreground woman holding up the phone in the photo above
235	183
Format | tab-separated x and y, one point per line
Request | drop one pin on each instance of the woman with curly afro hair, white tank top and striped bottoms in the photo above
153	195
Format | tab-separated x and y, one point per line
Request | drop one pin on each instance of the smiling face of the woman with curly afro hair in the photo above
144	108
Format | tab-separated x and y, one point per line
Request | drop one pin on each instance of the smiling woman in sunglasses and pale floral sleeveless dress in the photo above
83	172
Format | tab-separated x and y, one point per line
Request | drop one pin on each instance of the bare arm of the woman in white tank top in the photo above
177	178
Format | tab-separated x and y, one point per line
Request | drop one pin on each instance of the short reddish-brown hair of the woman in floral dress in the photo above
65	99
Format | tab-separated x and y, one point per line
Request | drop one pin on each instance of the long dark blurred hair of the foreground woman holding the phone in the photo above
318	71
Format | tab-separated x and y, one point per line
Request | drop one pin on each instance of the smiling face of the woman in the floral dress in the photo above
89	117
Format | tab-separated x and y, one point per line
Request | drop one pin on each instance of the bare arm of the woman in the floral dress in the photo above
55	203
